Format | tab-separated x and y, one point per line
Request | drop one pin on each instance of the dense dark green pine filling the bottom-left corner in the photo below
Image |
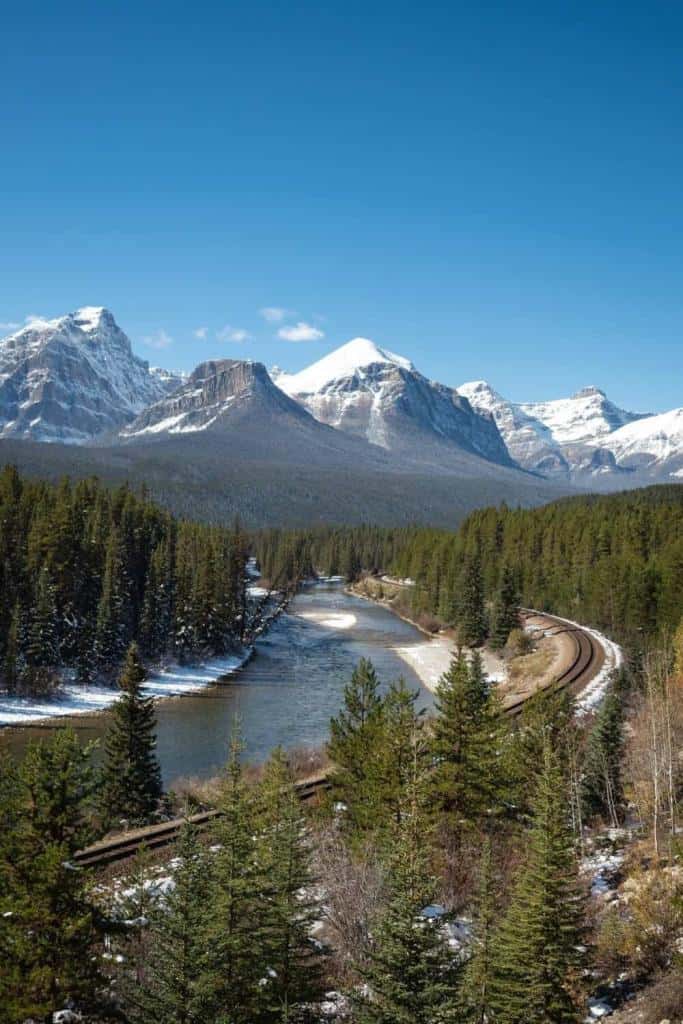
51	930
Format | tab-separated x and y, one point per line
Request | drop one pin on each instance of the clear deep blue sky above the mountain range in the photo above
494	190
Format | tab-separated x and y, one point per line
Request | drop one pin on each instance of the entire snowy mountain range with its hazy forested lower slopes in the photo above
361	435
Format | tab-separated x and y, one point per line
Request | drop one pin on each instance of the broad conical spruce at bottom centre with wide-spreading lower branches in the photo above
411	973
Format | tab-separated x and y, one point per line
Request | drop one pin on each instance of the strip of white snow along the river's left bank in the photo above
74	700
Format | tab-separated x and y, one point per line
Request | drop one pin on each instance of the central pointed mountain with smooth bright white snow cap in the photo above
370	393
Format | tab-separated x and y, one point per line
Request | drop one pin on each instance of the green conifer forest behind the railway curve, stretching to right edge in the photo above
615	563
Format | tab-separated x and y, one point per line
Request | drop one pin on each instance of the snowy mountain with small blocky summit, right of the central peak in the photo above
558	438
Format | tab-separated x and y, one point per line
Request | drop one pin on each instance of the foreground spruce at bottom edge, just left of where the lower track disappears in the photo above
293	975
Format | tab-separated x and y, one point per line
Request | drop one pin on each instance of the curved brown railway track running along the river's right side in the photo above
587	661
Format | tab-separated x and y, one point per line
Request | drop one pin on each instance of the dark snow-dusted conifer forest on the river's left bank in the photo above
84	571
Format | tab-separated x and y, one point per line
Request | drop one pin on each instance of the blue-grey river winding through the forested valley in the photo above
285	696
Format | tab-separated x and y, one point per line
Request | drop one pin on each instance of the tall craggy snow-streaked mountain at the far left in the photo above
73	378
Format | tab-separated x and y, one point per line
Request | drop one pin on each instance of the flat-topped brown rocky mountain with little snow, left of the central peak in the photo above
216	395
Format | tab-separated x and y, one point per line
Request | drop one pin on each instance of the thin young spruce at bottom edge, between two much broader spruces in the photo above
475	994
